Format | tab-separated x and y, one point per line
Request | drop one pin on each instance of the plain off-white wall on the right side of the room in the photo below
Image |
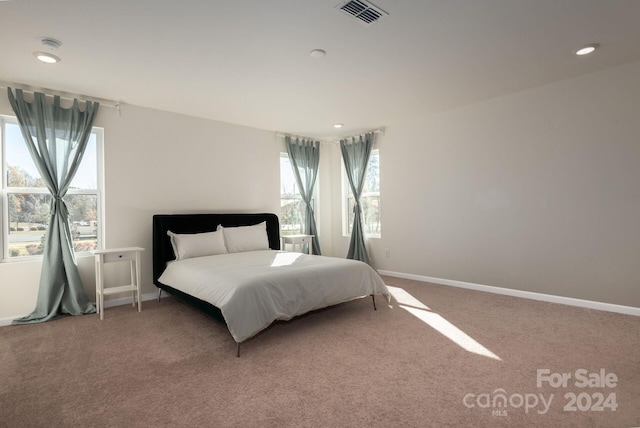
536	191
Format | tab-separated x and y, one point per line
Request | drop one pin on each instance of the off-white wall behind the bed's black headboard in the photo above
158	162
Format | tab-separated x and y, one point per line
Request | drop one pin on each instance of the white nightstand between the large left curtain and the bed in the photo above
129	254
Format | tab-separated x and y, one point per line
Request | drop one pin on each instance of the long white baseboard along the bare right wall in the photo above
590	304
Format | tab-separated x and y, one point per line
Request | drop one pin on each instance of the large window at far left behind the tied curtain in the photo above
26	200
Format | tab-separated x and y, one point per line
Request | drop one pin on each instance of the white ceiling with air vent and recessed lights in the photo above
249	63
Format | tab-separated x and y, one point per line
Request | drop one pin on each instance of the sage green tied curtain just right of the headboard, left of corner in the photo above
305	157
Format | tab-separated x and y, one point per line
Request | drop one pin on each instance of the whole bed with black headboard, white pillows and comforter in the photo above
230	266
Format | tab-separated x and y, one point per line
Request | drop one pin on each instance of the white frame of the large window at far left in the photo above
6	191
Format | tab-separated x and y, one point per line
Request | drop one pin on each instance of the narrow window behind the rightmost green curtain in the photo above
369	200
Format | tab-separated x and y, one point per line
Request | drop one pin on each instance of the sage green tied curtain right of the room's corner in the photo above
355	154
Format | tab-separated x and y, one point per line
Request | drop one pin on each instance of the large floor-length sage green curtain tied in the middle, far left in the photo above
56	138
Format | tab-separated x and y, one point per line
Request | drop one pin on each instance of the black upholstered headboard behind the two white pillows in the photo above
197	223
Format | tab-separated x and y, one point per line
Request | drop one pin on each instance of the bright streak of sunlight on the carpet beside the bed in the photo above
418	309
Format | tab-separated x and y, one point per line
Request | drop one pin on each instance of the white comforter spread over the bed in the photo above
255	288
